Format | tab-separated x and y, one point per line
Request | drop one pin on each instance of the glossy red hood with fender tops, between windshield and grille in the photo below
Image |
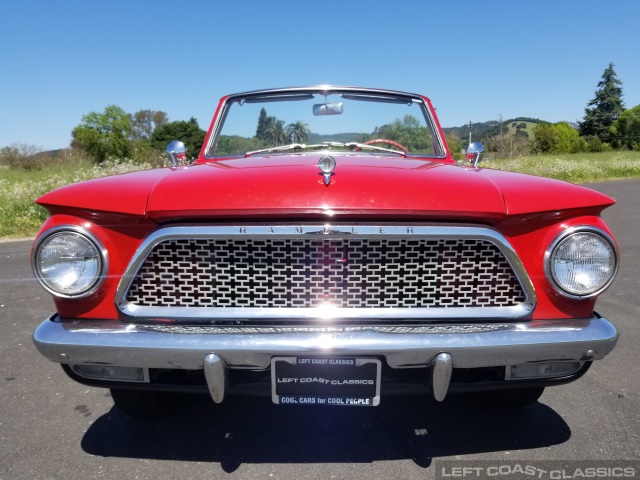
272	186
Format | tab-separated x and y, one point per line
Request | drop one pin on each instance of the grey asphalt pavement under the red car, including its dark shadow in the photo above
54	428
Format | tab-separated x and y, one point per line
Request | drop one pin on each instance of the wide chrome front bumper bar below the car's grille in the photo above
185	347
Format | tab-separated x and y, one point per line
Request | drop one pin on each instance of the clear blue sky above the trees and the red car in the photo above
475	60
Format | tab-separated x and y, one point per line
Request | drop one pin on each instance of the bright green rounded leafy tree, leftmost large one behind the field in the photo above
104	135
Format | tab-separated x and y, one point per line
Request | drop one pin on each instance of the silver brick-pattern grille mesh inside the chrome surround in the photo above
310	272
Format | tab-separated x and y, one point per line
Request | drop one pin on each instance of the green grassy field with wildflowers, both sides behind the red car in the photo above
21	217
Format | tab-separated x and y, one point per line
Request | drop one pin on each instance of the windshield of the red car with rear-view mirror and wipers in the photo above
295	121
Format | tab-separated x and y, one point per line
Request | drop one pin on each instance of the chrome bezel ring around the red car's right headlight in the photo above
563	237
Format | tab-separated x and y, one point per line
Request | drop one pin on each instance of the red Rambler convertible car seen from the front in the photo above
324	248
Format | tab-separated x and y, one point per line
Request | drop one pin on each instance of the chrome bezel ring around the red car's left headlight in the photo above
86	236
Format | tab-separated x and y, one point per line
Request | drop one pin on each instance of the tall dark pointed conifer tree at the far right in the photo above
605	108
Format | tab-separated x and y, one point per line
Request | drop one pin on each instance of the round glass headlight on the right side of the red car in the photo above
582	262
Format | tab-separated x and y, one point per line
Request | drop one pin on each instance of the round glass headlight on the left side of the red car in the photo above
69	262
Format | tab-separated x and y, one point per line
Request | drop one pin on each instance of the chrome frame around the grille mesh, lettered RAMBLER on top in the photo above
321	314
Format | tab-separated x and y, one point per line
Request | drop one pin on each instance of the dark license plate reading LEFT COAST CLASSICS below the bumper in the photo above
349	381
